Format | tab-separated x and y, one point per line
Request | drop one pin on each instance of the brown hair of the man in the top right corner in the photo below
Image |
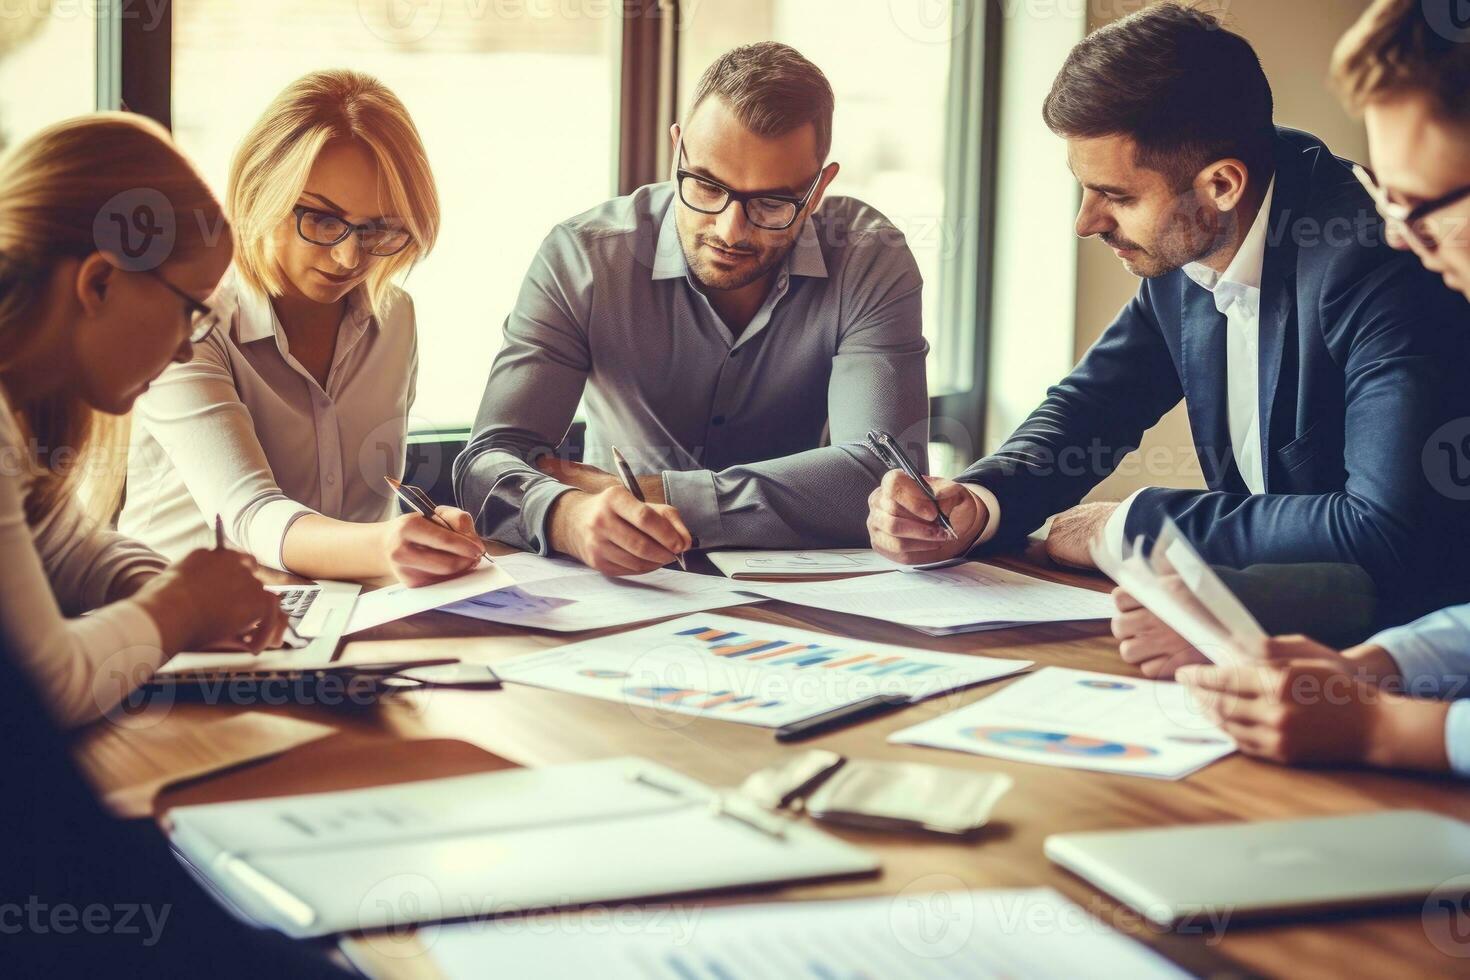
1397	48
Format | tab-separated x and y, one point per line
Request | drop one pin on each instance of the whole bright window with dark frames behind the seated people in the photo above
534	111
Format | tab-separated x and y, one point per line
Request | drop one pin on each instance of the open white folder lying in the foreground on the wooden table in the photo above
481	846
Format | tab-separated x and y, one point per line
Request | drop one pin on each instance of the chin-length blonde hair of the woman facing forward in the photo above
274	161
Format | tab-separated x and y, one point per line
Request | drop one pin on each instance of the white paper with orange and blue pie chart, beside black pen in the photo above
1080	719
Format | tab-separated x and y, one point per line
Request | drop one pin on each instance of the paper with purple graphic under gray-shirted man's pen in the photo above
564	596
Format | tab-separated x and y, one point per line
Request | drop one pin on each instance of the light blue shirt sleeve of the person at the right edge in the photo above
1434	657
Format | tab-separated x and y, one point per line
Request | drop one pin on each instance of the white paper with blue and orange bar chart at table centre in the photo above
749	672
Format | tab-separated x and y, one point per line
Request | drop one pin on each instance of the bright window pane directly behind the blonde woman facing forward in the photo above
517	111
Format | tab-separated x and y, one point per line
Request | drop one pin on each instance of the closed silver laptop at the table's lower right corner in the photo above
1274	868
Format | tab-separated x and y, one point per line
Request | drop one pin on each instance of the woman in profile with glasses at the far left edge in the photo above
110	246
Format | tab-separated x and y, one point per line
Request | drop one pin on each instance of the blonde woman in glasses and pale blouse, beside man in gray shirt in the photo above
292	415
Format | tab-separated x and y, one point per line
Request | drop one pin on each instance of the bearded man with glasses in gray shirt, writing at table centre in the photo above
717	327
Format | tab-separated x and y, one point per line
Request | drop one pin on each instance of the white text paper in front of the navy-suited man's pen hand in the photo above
965	599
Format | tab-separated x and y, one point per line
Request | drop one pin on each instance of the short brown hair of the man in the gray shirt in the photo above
772	90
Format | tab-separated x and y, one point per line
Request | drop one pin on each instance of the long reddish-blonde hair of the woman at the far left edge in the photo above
60	192
